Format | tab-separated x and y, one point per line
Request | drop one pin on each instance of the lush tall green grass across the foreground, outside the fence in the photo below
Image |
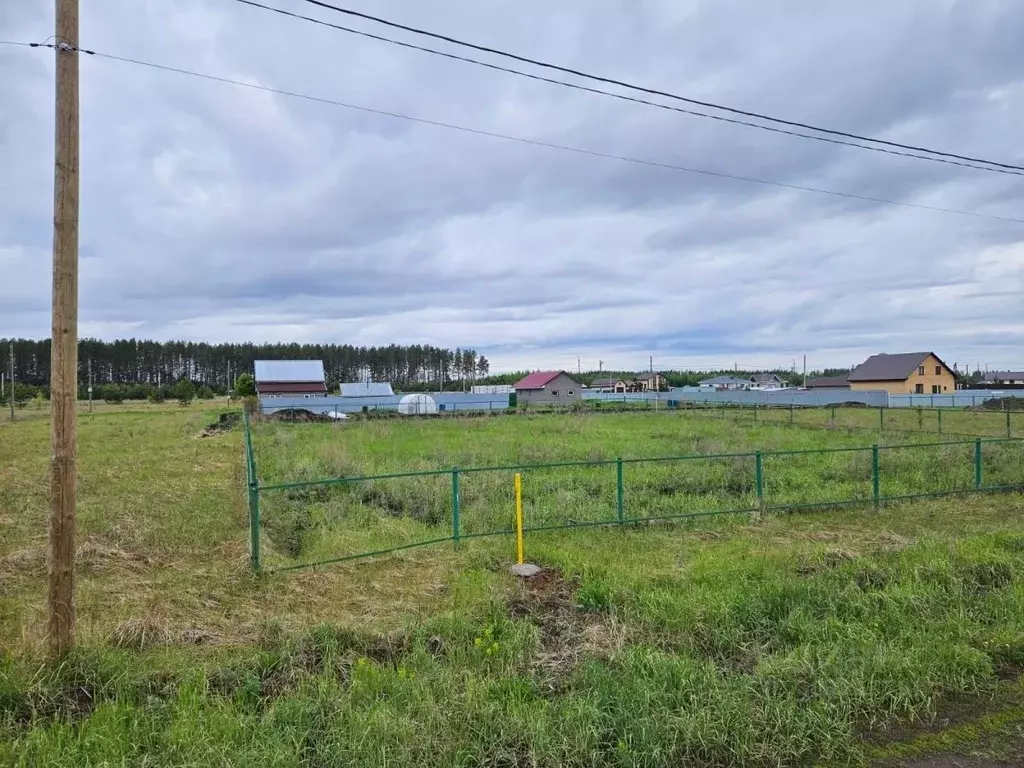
747	658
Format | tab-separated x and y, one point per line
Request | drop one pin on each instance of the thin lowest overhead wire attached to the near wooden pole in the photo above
537	143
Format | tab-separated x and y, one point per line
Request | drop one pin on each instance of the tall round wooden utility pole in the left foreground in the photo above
64	359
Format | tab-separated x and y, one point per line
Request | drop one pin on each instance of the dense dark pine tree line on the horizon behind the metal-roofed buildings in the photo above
137	369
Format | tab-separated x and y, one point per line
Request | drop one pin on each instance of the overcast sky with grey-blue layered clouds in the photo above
216	212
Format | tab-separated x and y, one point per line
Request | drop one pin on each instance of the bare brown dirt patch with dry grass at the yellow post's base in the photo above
567	631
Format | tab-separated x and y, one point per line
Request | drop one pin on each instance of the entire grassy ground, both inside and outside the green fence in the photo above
849	637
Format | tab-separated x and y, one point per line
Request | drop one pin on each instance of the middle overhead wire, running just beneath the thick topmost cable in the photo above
621	97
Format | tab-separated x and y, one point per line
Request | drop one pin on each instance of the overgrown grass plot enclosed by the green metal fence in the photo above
317	523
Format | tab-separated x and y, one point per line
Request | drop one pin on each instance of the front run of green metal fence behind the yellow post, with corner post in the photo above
372	516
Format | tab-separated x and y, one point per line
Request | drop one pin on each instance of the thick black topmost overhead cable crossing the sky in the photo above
652	92
